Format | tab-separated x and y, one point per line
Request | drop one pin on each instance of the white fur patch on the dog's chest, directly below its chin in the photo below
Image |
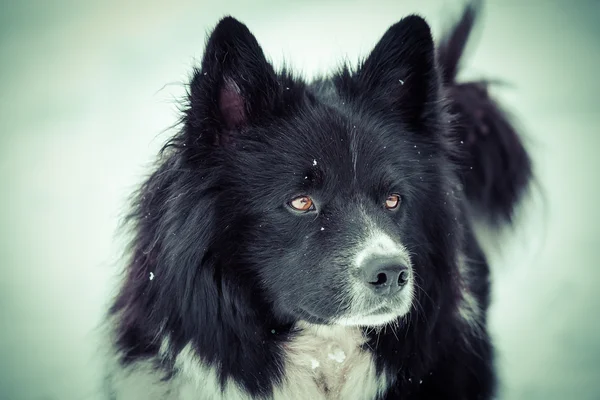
329	363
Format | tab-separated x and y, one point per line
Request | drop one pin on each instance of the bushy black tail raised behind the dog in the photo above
497	168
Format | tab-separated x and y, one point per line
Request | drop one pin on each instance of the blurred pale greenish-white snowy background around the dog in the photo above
88	91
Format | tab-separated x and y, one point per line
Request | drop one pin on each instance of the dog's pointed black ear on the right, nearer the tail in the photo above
400	73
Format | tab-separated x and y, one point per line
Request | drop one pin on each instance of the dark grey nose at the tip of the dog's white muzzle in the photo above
385	276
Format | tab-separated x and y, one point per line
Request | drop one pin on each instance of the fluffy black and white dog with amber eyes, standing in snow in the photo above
315	239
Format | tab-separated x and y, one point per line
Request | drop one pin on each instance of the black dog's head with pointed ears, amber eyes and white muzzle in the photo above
331	201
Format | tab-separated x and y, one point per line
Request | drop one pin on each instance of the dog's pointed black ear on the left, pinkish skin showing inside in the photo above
235	87
